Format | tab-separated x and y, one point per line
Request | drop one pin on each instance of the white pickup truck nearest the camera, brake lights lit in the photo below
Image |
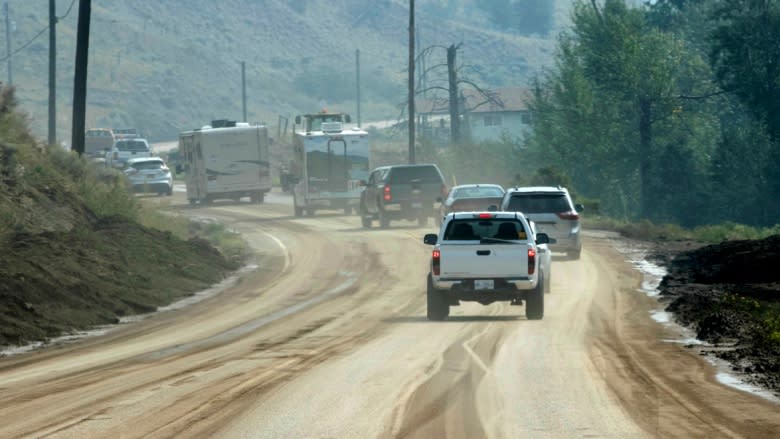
487	257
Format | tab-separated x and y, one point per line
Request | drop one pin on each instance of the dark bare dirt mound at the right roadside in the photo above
729	294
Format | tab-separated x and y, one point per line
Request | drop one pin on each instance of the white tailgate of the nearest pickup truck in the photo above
484	261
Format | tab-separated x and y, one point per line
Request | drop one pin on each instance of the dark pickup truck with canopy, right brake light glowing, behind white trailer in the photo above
408	192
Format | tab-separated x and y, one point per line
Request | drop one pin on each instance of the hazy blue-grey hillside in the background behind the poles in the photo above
168	66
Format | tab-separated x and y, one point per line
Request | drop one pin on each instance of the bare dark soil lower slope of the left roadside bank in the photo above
59	282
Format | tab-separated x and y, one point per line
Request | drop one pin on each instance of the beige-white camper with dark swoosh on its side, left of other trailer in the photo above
226	160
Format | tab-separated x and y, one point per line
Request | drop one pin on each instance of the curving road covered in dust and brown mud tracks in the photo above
327	337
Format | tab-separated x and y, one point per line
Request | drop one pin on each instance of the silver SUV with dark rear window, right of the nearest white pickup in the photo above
551	208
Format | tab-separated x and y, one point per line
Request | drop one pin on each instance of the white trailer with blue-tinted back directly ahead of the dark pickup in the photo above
329	163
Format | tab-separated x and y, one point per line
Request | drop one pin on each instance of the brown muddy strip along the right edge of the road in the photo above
652	379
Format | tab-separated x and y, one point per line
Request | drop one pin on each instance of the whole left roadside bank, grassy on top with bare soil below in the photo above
78	249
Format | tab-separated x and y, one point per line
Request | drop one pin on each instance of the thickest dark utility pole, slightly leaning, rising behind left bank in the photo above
80	77
